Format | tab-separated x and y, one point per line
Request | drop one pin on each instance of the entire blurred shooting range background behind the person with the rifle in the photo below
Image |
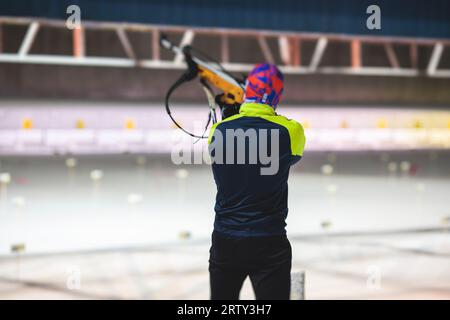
92	205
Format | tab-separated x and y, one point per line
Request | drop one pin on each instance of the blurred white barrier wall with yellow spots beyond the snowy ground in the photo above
103	128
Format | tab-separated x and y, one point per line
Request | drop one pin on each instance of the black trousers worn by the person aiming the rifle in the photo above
266	260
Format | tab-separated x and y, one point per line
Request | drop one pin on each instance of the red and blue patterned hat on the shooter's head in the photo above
265	85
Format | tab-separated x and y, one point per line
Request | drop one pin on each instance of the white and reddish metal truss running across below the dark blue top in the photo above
288	44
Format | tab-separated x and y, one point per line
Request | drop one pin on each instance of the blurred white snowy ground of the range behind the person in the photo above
362	225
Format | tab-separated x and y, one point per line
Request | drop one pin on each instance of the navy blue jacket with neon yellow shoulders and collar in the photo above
252	195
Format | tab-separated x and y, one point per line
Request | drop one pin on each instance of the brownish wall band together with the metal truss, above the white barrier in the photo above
41	58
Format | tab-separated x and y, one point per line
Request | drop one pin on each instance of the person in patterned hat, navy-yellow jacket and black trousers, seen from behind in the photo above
251	156
